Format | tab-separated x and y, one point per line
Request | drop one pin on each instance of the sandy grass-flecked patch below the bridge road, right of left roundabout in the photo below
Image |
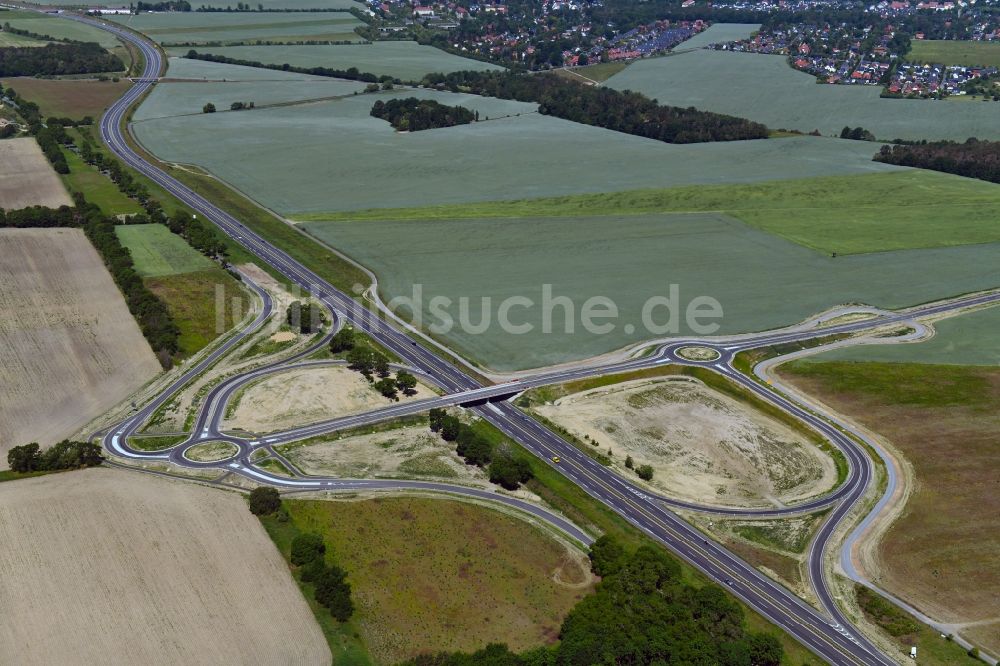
404	452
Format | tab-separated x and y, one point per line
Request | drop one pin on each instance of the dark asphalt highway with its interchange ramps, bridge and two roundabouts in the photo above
826	632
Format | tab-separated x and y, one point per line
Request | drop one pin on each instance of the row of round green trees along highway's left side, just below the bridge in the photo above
505	467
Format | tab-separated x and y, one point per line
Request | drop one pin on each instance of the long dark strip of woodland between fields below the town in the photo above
622	111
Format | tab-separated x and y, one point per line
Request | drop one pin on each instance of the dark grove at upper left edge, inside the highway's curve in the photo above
61	58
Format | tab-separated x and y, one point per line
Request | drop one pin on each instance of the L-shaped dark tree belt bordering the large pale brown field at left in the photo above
149	311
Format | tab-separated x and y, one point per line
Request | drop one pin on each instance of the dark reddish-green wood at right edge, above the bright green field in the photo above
973	159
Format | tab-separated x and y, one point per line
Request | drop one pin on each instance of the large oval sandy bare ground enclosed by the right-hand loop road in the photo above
702	445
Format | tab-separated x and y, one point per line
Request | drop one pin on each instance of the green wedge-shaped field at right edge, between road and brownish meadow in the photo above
971	339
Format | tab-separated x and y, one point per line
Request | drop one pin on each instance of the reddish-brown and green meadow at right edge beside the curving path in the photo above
939	555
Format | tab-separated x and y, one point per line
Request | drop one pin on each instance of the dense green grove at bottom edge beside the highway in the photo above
641	613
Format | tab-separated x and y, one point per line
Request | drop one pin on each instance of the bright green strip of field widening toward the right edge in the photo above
903	210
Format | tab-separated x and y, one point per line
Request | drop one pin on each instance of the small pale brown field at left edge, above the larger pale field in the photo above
27	178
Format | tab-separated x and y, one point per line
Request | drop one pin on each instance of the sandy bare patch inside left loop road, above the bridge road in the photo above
303	396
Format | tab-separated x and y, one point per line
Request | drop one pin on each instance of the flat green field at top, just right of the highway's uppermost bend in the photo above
226	27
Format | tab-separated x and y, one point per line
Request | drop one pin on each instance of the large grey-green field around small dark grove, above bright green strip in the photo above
289	165
